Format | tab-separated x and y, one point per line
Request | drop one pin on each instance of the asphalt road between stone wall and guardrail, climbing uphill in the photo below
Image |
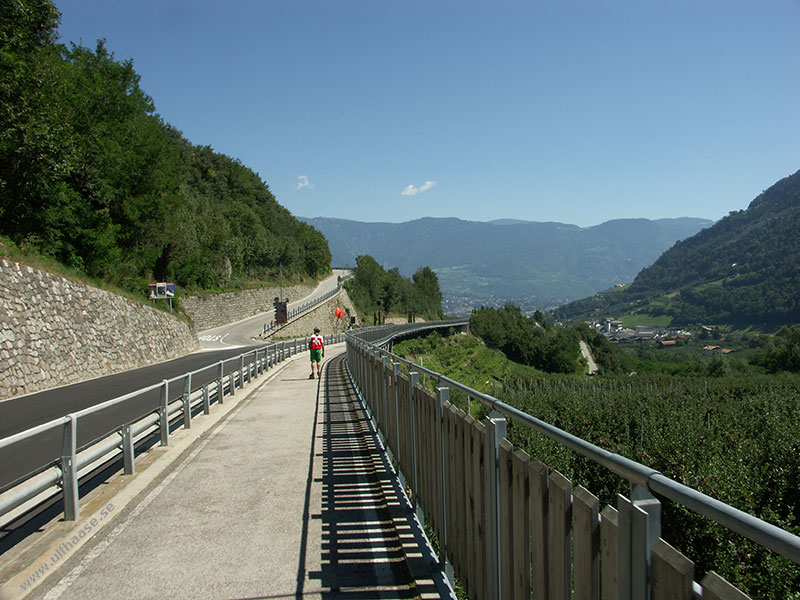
35	454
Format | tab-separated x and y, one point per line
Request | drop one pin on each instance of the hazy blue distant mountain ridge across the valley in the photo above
533	264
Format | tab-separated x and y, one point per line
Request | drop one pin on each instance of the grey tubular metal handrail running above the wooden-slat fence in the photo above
645	481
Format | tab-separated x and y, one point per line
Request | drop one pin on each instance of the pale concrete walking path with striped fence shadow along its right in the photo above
286	497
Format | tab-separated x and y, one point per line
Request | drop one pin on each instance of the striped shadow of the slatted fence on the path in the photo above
364	523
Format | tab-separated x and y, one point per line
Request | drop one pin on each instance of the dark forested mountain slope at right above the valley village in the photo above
744	270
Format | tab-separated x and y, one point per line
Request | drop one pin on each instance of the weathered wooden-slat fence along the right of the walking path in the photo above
507	525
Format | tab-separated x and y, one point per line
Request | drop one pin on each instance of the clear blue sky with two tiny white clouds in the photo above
543	110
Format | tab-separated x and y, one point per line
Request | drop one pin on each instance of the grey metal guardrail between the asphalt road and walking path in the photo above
65	472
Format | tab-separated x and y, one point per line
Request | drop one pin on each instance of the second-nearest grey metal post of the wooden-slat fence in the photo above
495	431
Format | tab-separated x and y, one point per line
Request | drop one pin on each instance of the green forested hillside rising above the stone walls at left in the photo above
92	176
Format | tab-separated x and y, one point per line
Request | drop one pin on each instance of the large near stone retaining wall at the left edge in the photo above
54	331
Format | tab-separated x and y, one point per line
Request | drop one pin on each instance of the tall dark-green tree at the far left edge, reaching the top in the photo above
36	149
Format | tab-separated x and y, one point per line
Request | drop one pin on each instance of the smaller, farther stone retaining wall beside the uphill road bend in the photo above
208	312
